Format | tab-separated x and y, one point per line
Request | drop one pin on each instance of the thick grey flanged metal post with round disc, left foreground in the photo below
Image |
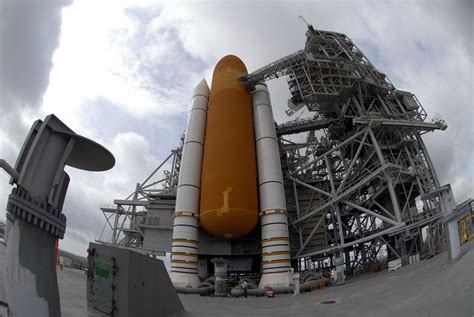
35	220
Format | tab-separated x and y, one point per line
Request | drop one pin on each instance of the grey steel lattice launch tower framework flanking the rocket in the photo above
357	175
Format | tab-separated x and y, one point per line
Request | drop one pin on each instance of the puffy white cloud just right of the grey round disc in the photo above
90	191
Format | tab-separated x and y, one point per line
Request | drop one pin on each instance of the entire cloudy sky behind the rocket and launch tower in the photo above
122	73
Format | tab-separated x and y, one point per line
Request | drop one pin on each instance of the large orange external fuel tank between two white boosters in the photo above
229	203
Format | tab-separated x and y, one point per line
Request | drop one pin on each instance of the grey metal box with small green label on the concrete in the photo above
123	282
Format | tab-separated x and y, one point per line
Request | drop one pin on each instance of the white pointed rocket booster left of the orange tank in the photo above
184	246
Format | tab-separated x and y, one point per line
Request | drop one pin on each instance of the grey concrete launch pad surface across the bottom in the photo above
429	288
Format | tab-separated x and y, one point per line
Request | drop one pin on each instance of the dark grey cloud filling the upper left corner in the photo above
29	34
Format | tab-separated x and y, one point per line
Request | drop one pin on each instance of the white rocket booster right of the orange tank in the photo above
275	243
